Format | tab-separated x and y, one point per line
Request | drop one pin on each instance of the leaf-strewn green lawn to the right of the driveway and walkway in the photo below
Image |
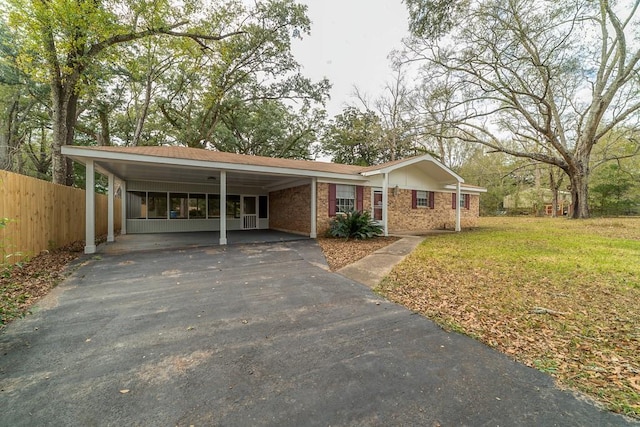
558	295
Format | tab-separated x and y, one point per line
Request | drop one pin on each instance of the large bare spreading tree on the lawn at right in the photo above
541	80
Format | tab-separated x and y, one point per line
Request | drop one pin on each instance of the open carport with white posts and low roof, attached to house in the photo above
182	171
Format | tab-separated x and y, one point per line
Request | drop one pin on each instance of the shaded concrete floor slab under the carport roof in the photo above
197	239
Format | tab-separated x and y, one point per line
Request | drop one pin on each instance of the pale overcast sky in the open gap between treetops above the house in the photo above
349	44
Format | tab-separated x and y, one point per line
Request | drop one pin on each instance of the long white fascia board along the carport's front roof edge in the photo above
78	153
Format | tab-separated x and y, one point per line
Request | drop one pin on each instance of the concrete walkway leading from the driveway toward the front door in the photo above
371	269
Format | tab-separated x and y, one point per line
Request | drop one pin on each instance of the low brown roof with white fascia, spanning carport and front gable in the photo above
195	165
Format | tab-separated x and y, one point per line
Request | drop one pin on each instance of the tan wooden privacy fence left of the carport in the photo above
43	216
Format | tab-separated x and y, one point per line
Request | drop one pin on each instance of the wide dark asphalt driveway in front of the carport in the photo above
255	335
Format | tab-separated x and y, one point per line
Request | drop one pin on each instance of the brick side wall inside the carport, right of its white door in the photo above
290	209
